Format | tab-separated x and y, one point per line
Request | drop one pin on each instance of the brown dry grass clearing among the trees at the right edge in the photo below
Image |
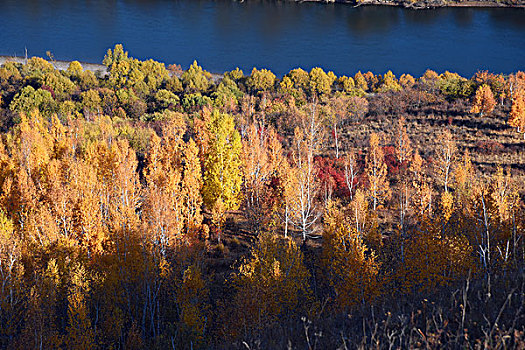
490	141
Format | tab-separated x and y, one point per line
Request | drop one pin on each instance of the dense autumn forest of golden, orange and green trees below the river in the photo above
122	196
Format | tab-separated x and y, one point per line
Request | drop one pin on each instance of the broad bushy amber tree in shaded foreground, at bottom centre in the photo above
272	284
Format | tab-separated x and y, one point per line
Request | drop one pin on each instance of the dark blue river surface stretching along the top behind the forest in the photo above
280	36
